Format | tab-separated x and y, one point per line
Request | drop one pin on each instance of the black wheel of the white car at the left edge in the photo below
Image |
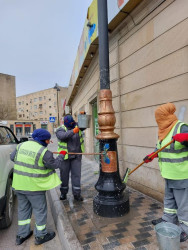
8	213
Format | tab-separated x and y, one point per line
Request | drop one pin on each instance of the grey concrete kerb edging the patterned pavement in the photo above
65	231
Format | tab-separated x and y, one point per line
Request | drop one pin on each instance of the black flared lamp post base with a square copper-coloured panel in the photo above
111	200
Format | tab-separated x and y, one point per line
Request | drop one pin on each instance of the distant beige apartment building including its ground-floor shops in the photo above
41	106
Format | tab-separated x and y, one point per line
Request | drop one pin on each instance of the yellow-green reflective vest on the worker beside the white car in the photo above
29	171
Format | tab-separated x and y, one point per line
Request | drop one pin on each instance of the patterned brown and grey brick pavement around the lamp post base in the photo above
131	231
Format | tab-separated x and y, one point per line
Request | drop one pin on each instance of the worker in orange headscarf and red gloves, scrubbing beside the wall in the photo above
173	163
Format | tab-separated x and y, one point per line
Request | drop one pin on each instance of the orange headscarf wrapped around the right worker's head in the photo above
165	119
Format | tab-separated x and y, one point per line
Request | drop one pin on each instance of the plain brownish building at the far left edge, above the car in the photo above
7	97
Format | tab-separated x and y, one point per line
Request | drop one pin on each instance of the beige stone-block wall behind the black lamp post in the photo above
148	67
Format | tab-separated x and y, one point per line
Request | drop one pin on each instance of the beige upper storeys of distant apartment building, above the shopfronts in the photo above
41	105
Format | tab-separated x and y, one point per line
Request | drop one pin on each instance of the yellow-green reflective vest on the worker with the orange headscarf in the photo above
173	160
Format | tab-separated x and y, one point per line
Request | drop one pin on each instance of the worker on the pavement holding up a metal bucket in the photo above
70	140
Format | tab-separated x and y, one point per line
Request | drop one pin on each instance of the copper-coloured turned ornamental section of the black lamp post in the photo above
106	116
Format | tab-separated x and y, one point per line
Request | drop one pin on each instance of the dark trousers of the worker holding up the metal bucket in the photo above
72	166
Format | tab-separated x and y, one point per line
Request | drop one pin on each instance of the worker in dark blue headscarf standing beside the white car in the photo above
34	174
